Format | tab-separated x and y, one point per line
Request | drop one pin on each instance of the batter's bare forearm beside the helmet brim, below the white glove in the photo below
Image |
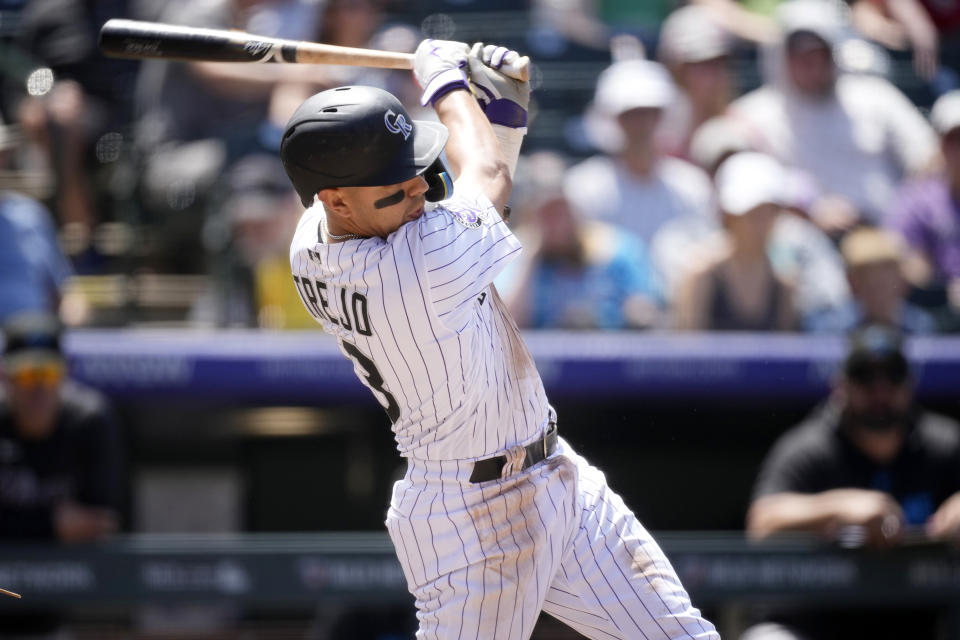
473	150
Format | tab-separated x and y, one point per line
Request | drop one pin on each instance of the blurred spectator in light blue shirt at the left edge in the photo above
33	269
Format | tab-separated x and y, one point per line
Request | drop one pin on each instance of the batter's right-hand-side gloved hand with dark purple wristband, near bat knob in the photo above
503	99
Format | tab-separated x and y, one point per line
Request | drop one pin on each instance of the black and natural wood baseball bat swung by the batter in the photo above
136	39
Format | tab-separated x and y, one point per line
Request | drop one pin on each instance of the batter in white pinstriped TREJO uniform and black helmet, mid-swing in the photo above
497	518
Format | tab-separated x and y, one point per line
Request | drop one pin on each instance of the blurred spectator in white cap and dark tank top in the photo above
736	288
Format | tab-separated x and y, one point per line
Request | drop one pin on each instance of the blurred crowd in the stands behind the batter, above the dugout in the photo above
759	165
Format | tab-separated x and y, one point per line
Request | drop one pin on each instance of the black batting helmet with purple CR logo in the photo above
357	136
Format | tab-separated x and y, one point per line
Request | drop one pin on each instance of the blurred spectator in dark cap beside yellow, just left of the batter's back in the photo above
249	242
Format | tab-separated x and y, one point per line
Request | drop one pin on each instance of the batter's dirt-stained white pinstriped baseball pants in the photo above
482	560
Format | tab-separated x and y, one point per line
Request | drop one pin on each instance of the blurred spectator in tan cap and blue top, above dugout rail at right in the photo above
874	264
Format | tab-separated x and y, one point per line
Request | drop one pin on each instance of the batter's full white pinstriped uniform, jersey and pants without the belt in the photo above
428	334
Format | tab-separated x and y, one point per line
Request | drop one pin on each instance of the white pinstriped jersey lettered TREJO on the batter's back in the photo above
426	331
